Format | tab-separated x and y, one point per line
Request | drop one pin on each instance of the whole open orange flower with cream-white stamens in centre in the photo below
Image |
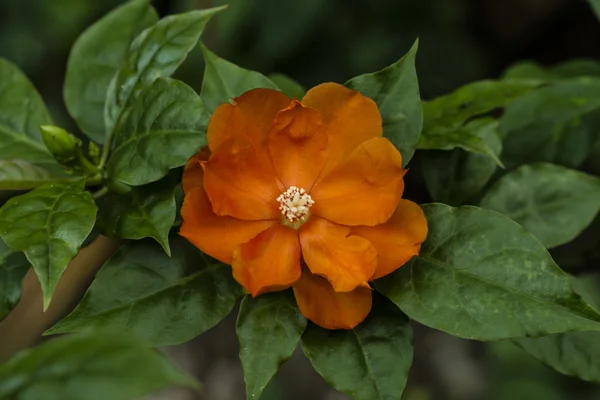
303	194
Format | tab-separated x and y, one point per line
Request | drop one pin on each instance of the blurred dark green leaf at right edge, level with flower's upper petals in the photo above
557	123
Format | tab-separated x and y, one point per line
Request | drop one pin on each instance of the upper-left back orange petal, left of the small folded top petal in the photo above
250	116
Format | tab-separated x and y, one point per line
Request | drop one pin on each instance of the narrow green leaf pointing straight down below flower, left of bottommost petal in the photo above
268	329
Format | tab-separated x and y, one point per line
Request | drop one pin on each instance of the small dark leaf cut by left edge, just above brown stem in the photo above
13	267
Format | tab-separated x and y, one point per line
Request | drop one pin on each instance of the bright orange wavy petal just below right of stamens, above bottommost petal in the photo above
329	250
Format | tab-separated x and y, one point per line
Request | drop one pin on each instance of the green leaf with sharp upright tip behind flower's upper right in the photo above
395	89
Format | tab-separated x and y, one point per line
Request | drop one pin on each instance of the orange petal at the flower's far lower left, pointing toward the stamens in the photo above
214	235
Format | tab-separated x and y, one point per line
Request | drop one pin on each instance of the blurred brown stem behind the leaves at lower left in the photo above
24	326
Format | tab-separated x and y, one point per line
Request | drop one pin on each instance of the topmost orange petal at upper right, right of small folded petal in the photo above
350	118
